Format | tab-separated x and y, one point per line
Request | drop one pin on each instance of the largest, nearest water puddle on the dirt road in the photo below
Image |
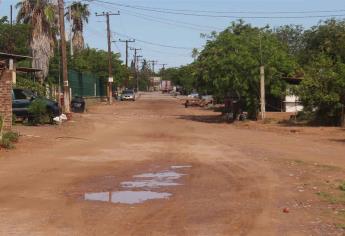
126	197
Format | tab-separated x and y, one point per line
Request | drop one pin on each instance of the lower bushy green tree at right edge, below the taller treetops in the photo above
323	90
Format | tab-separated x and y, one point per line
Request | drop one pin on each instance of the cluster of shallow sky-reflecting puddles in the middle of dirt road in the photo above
139	189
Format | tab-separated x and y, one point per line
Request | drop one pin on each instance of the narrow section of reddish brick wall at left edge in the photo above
6	98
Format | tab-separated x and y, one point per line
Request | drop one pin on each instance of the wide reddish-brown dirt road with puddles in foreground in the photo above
152	167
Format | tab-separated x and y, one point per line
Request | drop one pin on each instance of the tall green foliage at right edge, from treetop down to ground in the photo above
323	59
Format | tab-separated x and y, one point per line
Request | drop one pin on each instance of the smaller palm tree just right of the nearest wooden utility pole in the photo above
78	14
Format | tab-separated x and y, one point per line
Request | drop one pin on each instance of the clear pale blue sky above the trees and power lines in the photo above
169	38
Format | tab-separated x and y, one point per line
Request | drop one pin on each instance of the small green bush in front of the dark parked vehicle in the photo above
38	113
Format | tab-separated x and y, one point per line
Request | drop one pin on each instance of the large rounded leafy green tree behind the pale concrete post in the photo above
230	63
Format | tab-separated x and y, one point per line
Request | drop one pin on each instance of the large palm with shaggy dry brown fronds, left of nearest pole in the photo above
41	16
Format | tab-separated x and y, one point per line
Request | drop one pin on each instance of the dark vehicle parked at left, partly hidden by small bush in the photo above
22	98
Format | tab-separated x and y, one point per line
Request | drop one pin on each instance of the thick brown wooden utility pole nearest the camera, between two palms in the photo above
64	57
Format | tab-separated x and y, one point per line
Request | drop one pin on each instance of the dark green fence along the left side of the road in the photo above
86	85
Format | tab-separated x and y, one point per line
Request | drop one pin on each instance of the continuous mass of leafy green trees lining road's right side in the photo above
230	61
